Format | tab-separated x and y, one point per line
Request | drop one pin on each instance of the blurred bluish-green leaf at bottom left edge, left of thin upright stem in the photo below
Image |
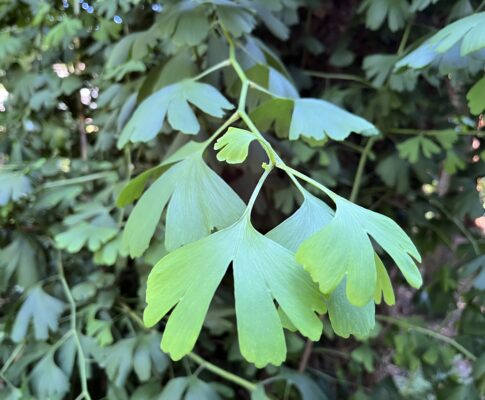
48	380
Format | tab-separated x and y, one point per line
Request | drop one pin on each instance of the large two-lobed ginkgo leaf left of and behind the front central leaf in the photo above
198	201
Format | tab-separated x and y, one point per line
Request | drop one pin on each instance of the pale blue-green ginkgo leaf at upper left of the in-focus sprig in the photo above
173	102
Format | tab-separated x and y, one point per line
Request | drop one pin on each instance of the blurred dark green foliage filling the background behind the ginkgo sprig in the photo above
72	75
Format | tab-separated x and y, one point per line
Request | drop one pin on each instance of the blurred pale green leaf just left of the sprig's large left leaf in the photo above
92	234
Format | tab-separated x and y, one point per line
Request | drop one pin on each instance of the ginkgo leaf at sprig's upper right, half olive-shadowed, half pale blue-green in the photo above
311	118
